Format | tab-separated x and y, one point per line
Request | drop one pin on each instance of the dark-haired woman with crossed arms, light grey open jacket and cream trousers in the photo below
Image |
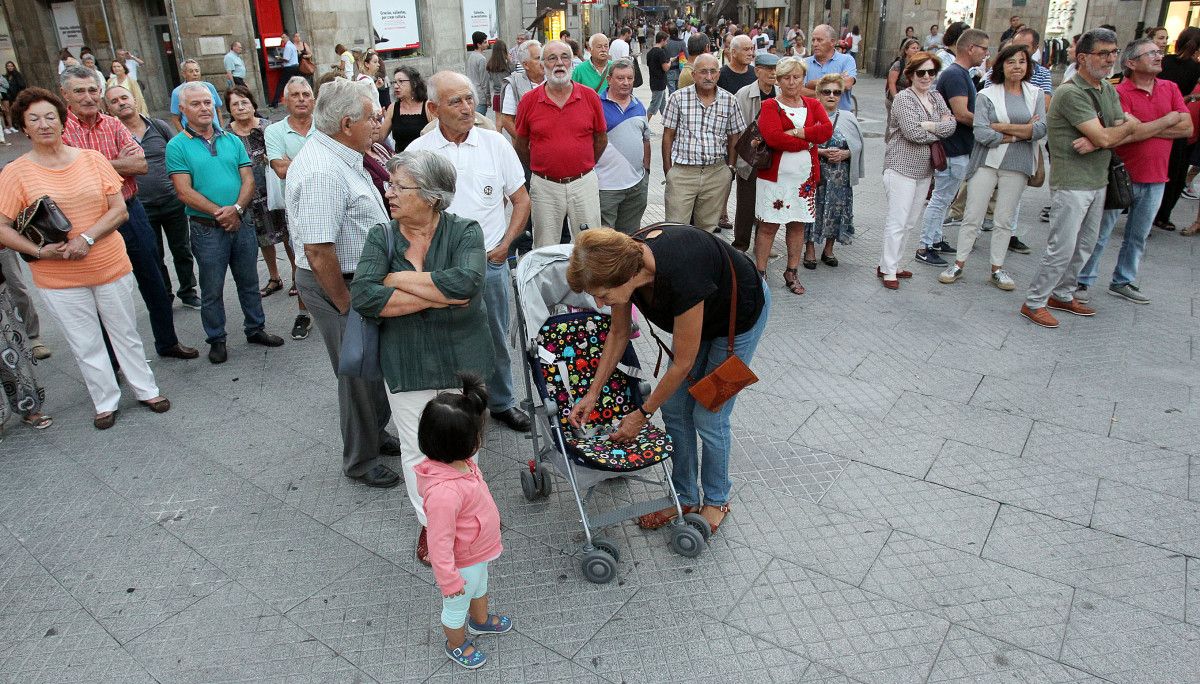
1010	117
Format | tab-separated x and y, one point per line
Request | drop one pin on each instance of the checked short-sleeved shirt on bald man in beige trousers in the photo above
701	133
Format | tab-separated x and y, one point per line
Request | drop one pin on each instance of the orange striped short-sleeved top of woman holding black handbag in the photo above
81	191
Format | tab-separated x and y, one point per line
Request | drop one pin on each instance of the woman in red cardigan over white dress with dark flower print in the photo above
785	194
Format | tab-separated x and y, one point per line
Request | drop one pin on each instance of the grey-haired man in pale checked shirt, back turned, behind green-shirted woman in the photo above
333	205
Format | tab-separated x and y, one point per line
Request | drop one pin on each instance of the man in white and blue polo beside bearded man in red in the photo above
623	172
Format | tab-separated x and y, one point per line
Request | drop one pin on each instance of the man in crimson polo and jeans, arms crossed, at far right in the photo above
1160	105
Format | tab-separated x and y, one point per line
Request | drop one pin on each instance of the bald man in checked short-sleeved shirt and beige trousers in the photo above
701	125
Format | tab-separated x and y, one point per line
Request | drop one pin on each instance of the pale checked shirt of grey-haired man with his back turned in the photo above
331	199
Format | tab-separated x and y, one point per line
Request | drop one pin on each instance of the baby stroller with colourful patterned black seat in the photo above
561	353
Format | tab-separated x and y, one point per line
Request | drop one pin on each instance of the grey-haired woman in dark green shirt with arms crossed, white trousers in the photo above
429	298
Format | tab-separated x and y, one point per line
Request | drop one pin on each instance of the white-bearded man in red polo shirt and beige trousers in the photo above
561	135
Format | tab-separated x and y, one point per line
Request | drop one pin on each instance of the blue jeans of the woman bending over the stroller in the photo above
687	421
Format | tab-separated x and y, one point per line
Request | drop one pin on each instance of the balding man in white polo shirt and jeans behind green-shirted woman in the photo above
489	172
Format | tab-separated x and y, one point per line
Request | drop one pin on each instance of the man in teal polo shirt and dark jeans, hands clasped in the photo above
212	175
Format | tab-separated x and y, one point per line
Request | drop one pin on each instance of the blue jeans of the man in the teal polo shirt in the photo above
217	250
